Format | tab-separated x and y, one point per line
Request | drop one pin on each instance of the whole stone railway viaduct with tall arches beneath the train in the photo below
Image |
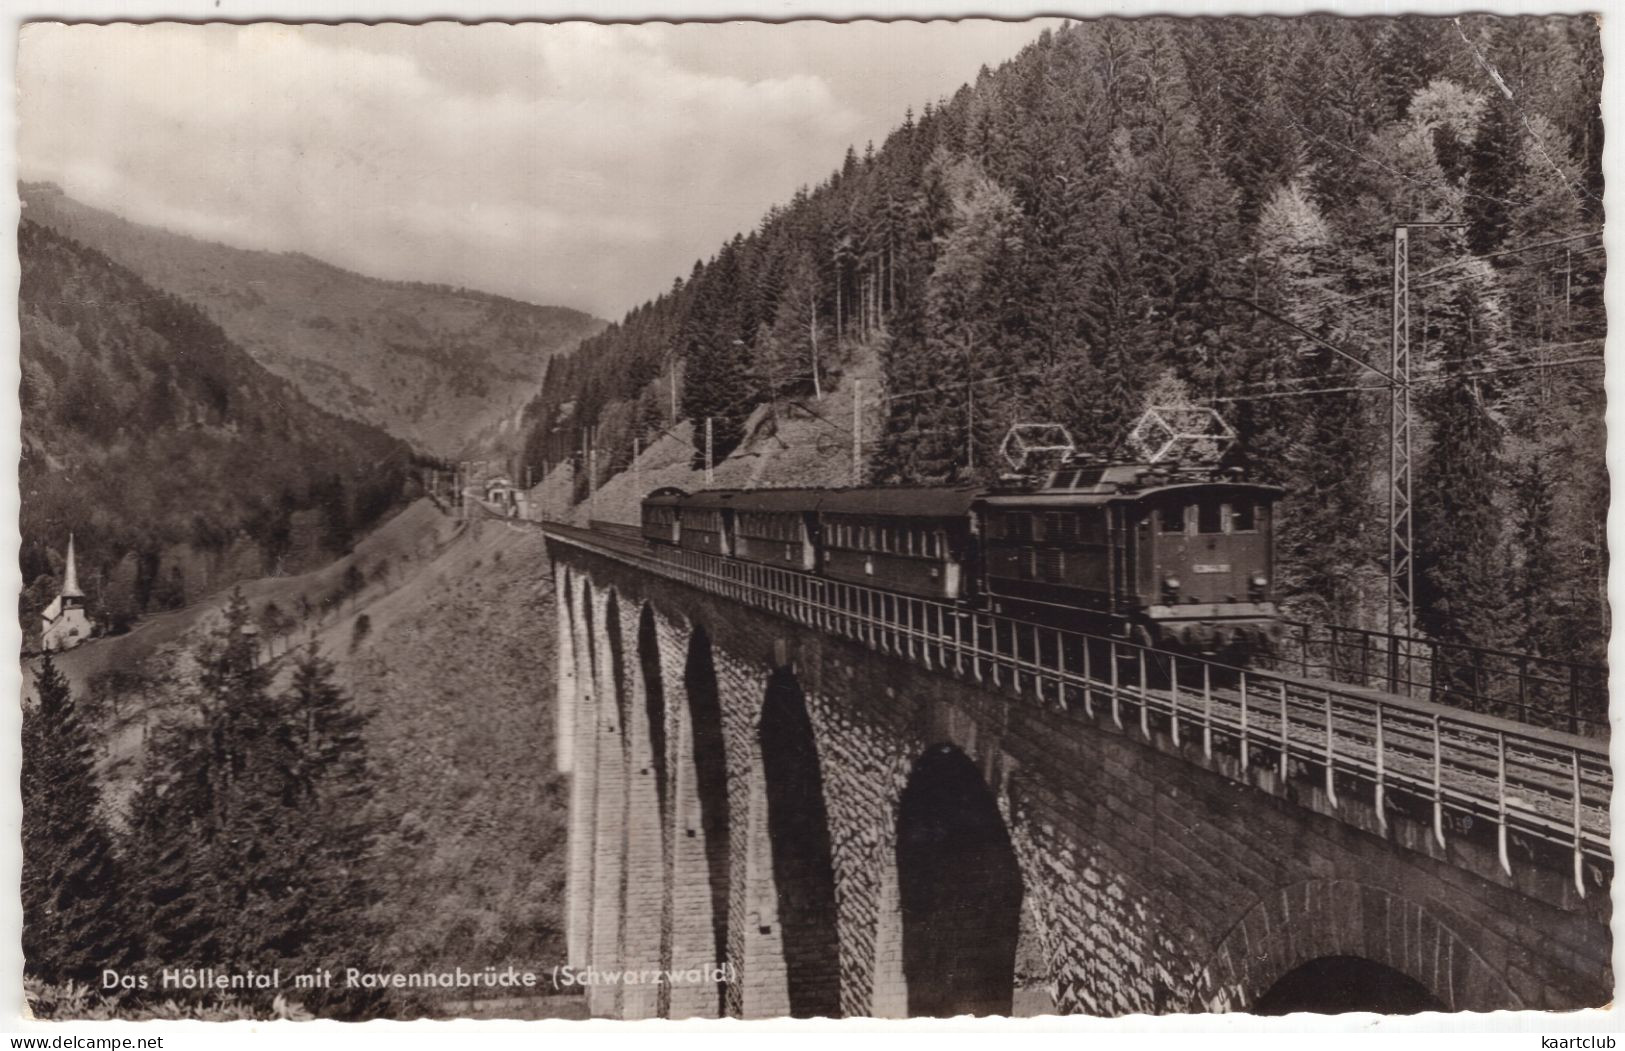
794	823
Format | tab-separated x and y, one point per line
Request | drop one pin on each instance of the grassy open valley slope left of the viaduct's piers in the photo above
459	638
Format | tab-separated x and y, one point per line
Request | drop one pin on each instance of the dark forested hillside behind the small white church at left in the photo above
176	461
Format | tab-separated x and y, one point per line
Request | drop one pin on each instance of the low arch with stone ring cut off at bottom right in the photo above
1333	946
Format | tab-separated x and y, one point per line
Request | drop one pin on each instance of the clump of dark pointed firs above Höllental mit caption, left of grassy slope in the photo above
249	829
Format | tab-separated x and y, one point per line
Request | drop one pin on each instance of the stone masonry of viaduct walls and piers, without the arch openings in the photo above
1156	880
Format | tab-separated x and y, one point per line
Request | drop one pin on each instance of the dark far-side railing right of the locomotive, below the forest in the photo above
1532	690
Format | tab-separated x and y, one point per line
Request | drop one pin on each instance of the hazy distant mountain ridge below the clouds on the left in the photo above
428	363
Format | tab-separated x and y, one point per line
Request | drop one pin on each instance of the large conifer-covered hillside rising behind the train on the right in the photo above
1176	204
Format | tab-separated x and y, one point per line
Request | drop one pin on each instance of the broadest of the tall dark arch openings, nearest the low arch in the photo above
960	891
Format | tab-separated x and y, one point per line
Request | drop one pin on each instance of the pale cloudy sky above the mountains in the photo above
573	165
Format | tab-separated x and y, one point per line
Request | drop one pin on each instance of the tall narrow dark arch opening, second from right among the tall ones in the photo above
799	846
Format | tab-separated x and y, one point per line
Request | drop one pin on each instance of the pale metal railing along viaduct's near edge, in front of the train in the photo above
1400	753
